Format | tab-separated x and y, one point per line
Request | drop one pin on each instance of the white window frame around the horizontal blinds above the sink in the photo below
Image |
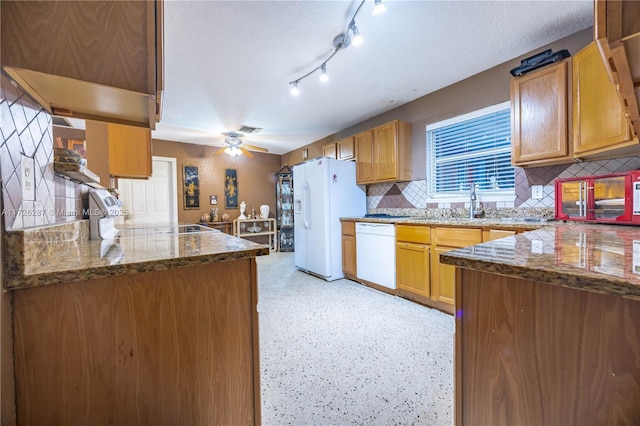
502	195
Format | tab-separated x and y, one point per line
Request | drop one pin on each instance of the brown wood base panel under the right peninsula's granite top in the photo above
533	353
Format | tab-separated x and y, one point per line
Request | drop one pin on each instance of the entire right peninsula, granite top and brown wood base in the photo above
548	327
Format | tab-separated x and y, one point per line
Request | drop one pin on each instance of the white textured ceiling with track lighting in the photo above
228	63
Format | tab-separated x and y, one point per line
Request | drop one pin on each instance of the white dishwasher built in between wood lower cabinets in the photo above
376	253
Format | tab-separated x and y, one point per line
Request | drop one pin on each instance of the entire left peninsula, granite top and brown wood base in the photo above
158	329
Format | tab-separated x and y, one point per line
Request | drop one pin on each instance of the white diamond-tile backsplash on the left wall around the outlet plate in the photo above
26	130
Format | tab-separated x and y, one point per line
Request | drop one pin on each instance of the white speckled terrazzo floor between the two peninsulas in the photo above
339	353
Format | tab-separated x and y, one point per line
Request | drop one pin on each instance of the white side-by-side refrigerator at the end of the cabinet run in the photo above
324	191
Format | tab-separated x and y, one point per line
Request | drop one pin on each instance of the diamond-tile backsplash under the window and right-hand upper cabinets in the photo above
413	195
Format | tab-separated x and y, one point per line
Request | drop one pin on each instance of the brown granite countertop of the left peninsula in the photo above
63	253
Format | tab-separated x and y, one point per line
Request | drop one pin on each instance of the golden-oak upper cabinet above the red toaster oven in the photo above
600	128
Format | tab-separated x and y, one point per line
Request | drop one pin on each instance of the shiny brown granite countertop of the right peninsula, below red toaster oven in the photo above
599	258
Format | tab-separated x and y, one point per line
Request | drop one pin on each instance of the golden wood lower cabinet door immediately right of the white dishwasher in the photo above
413	268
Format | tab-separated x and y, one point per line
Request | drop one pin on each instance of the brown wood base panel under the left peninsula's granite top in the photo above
169	347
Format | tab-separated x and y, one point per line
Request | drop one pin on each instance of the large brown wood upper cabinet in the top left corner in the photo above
93	60
